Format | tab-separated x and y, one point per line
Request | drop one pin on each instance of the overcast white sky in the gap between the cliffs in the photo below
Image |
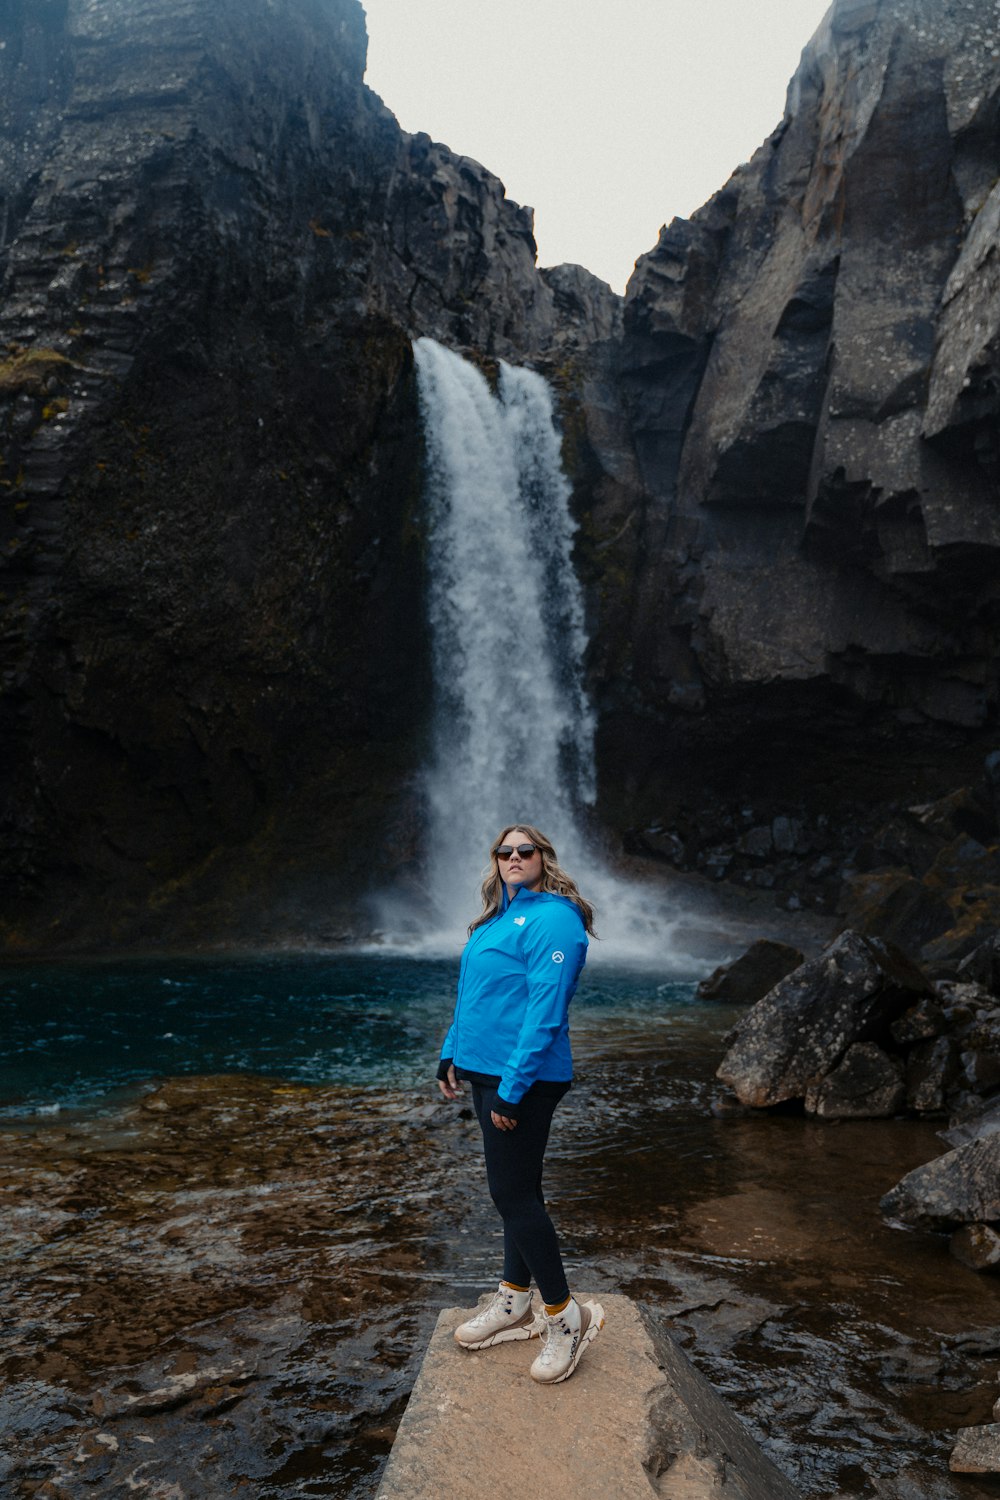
608	116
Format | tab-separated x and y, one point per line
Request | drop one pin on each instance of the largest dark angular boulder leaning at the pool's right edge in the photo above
798	1033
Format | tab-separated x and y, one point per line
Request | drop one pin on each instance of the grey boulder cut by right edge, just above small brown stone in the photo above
962	1187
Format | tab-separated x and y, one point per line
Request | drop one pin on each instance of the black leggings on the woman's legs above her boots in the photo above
513	1171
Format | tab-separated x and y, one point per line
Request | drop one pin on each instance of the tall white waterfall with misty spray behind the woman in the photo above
513	731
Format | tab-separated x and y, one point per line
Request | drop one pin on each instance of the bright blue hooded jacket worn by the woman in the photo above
519	973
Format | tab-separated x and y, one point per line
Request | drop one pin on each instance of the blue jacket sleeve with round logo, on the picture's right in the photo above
555	952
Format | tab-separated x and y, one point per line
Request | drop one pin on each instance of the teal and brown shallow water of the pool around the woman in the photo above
271	1205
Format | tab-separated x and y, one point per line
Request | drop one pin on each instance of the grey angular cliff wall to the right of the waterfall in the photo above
810	373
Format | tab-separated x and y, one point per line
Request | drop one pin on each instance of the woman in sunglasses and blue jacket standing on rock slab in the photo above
510	1040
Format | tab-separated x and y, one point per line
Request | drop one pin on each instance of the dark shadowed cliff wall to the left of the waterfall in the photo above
215	244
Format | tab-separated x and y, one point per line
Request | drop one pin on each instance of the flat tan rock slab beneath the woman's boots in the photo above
635	1421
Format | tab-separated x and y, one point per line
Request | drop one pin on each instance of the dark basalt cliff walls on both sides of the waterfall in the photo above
215	248
